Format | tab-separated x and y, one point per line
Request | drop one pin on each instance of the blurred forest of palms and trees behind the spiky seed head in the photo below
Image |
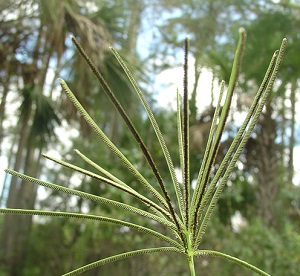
258	214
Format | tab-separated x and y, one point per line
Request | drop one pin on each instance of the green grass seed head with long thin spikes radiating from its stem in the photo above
184	217
